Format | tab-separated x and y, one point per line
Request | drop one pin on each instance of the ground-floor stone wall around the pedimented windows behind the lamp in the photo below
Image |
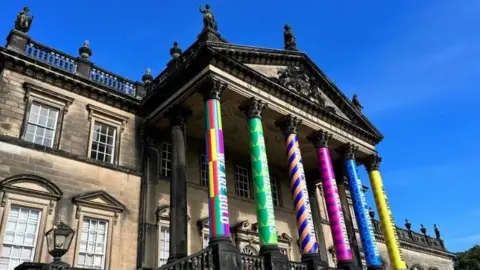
75	178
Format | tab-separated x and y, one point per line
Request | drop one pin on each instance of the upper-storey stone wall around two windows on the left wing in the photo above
75	133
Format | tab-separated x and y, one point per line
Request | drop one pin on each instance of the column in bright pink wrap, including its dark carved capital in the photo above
334	207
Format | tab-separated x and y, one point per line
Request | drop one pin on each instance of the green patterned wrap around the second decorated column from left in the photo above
267	228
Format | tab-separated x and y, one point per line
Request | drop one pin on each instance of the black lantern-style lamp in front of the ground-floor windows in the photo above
59	239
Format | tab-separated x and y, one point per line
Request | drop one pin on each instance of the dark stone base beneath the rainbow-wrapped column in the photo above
226	256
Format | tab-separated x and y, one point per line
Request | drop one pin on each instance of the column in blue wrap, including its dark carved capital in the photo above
372	255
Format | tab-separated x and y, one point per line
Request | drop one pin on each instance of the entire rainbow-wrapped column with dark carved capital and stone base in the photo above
225	254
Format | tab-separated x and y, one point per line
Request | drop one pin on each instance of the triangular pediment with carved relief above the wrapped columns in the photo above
295	72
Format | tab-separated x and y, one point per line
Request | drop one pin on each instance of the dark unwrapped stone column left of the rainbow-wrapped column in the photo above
178	186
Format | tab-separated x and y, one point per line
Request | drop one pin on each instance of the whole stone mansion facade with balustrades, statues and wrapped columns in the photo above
233	157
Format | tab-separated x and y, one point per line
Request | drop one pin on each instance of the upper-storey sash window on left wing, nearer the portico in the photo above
103	143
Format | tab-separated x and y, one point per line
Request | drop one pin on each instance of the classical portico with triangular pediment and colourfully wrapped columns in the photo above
271	108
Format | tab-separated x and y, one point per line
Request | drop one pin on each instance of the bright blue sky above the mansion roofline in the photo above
412	63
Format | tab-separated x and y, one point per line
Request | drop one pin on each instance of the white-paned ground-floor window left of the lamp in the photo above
20	237
